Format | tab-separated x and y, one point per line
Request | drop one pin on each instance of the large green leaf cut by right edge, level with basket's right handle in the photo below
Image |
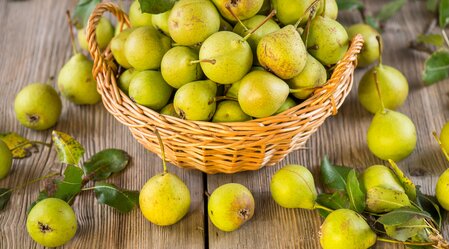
436	67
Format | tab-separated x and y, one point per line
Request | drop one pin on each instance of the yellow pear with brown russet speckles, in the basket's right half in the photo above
282	52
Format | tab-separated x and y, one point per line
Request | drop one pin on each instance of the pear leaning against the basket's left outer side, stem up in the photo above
76	83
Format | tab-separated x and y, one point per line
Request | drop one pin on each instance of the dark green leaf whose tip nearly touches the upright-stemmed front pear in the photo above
122	200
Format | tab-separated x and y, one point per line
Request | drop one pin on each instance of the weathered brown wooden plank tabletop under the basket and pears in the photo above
34	45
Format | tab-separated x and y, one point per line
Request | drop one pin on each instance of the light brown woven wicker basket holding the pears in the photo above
219	147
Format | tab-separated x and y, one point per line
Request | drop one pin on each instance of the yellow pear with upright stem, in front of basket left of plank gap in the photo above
164	199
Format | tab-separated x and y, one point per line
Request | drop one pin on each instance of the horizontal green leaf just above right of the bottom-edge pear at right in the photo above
402	215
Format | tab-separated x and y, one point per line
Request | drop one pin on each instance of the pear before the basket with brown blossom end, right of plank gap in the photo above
230	206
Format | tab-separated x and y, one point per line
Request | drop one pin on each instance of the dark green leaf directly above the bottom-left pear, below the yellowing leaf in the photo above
70	186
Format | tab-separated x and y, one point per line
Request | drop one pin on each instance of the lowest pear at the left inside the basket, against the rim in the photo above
149	89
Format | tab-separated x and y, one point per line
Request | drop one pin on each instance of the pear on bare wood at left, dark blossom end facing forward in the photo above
37	106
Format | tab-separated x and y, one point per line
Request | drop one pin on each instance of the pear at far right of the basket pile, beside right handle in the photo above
327	40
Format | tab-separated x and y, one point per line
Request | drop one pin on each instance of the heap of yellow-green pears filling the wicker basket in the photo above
228	61
